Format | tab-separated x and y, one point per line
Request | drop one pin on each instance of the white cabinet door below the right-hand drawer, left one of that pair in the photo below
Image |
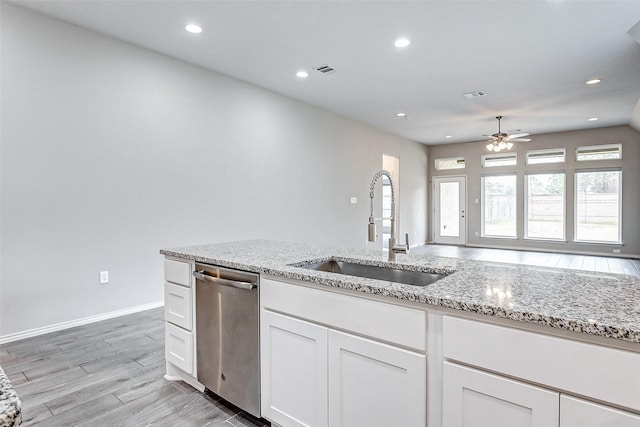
472	398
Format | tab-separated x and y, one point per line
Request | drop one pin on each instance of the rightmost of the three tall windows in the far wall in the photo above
598	206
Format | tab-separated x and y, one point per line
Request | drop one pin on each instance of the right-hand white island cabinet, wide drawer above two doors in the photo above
473	397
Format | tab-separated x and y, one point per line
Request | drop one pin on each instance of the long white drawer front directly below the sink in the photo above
387	322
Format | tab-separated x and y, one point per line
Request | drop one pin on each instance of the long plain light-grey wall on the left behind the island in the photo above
111	152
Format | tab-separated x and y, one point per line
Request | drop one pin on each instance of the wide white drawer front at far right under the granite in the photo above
599	372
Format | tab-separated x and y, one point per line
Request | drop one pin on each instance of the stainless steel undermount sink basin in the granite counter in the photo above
416	278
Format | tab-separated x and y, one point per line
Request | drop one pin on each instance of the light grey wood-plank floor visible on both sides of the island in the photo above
110	373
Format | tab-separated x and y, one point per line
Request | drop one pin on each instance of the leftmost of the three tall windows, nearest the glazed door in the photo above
499	206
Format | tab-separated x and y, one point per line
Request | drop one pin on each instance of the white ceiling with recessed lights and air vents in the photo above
530	57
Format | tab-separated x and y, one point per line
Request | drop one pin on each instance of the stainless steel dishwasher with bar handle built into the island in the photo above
227	333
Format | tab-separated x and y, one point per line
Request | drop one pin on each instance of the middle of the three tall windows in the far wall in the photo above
545	203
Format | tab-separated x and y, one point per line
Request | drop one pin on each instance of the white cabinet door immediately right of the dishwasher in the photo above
294	371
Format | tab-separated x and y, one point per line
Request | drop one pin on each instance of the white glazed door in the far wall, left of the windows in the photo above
449	210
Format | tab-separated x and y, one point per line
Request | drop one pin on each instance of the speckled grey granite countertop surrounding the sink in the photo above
600	304
